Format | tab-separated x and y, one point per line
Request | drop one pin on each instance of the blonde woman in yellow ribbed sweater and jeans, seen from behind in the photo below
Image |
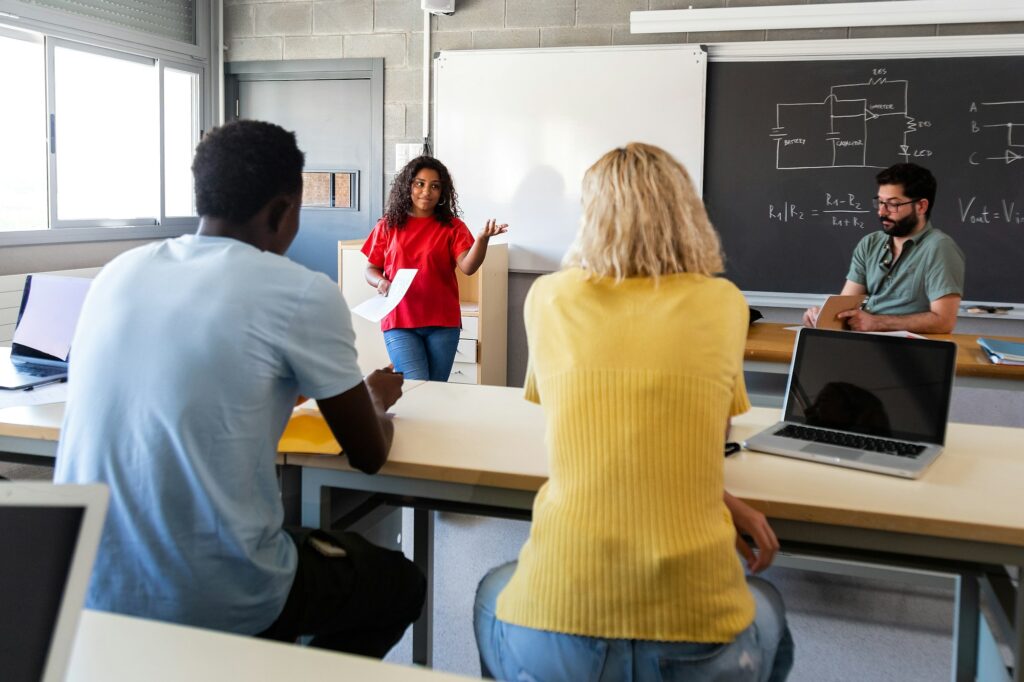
631	571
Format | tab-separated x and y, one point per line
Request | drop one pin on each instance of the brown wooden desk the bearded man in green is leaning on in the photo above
770	351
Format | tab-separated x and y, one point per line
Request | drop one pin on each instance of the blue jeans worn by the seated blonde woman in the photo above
763	653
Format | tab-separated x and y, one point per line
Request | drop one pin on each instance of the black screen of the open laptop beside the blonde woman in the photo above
877	386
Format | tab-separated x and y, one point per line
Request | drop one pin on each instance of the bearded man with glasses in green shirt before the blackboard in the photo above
912	273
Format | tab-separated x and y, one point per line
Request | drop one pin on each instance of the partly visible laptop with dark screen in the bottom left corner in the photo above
50	535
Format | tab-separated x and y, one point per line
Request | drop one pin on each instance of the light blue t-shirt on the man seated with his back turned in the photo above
186	365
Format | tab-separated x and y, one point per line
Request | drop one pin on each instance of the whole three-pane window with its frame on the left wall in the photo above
99	127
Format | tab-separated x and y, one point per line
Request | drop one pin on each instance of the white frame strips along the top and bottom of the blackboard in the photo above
867	49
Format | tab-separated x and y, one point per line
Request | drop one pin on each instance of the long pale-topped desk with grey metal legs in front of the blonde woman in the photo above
481	450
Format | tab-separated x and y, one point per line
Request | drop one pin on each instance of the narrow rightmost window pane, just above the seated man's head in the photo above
181	138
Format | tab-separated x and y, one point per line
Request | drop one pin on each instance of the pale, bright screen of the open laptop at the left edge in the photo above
52	313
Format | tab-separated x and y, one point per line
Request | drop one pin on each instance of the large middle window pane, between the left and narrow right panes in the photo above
107	138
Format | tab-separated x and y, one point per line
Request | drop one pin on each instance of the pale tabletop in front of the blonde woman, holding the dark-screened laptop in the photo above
488	436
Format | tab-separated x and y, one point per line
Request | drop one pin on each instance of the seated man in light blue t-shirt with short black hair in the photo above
189	358
